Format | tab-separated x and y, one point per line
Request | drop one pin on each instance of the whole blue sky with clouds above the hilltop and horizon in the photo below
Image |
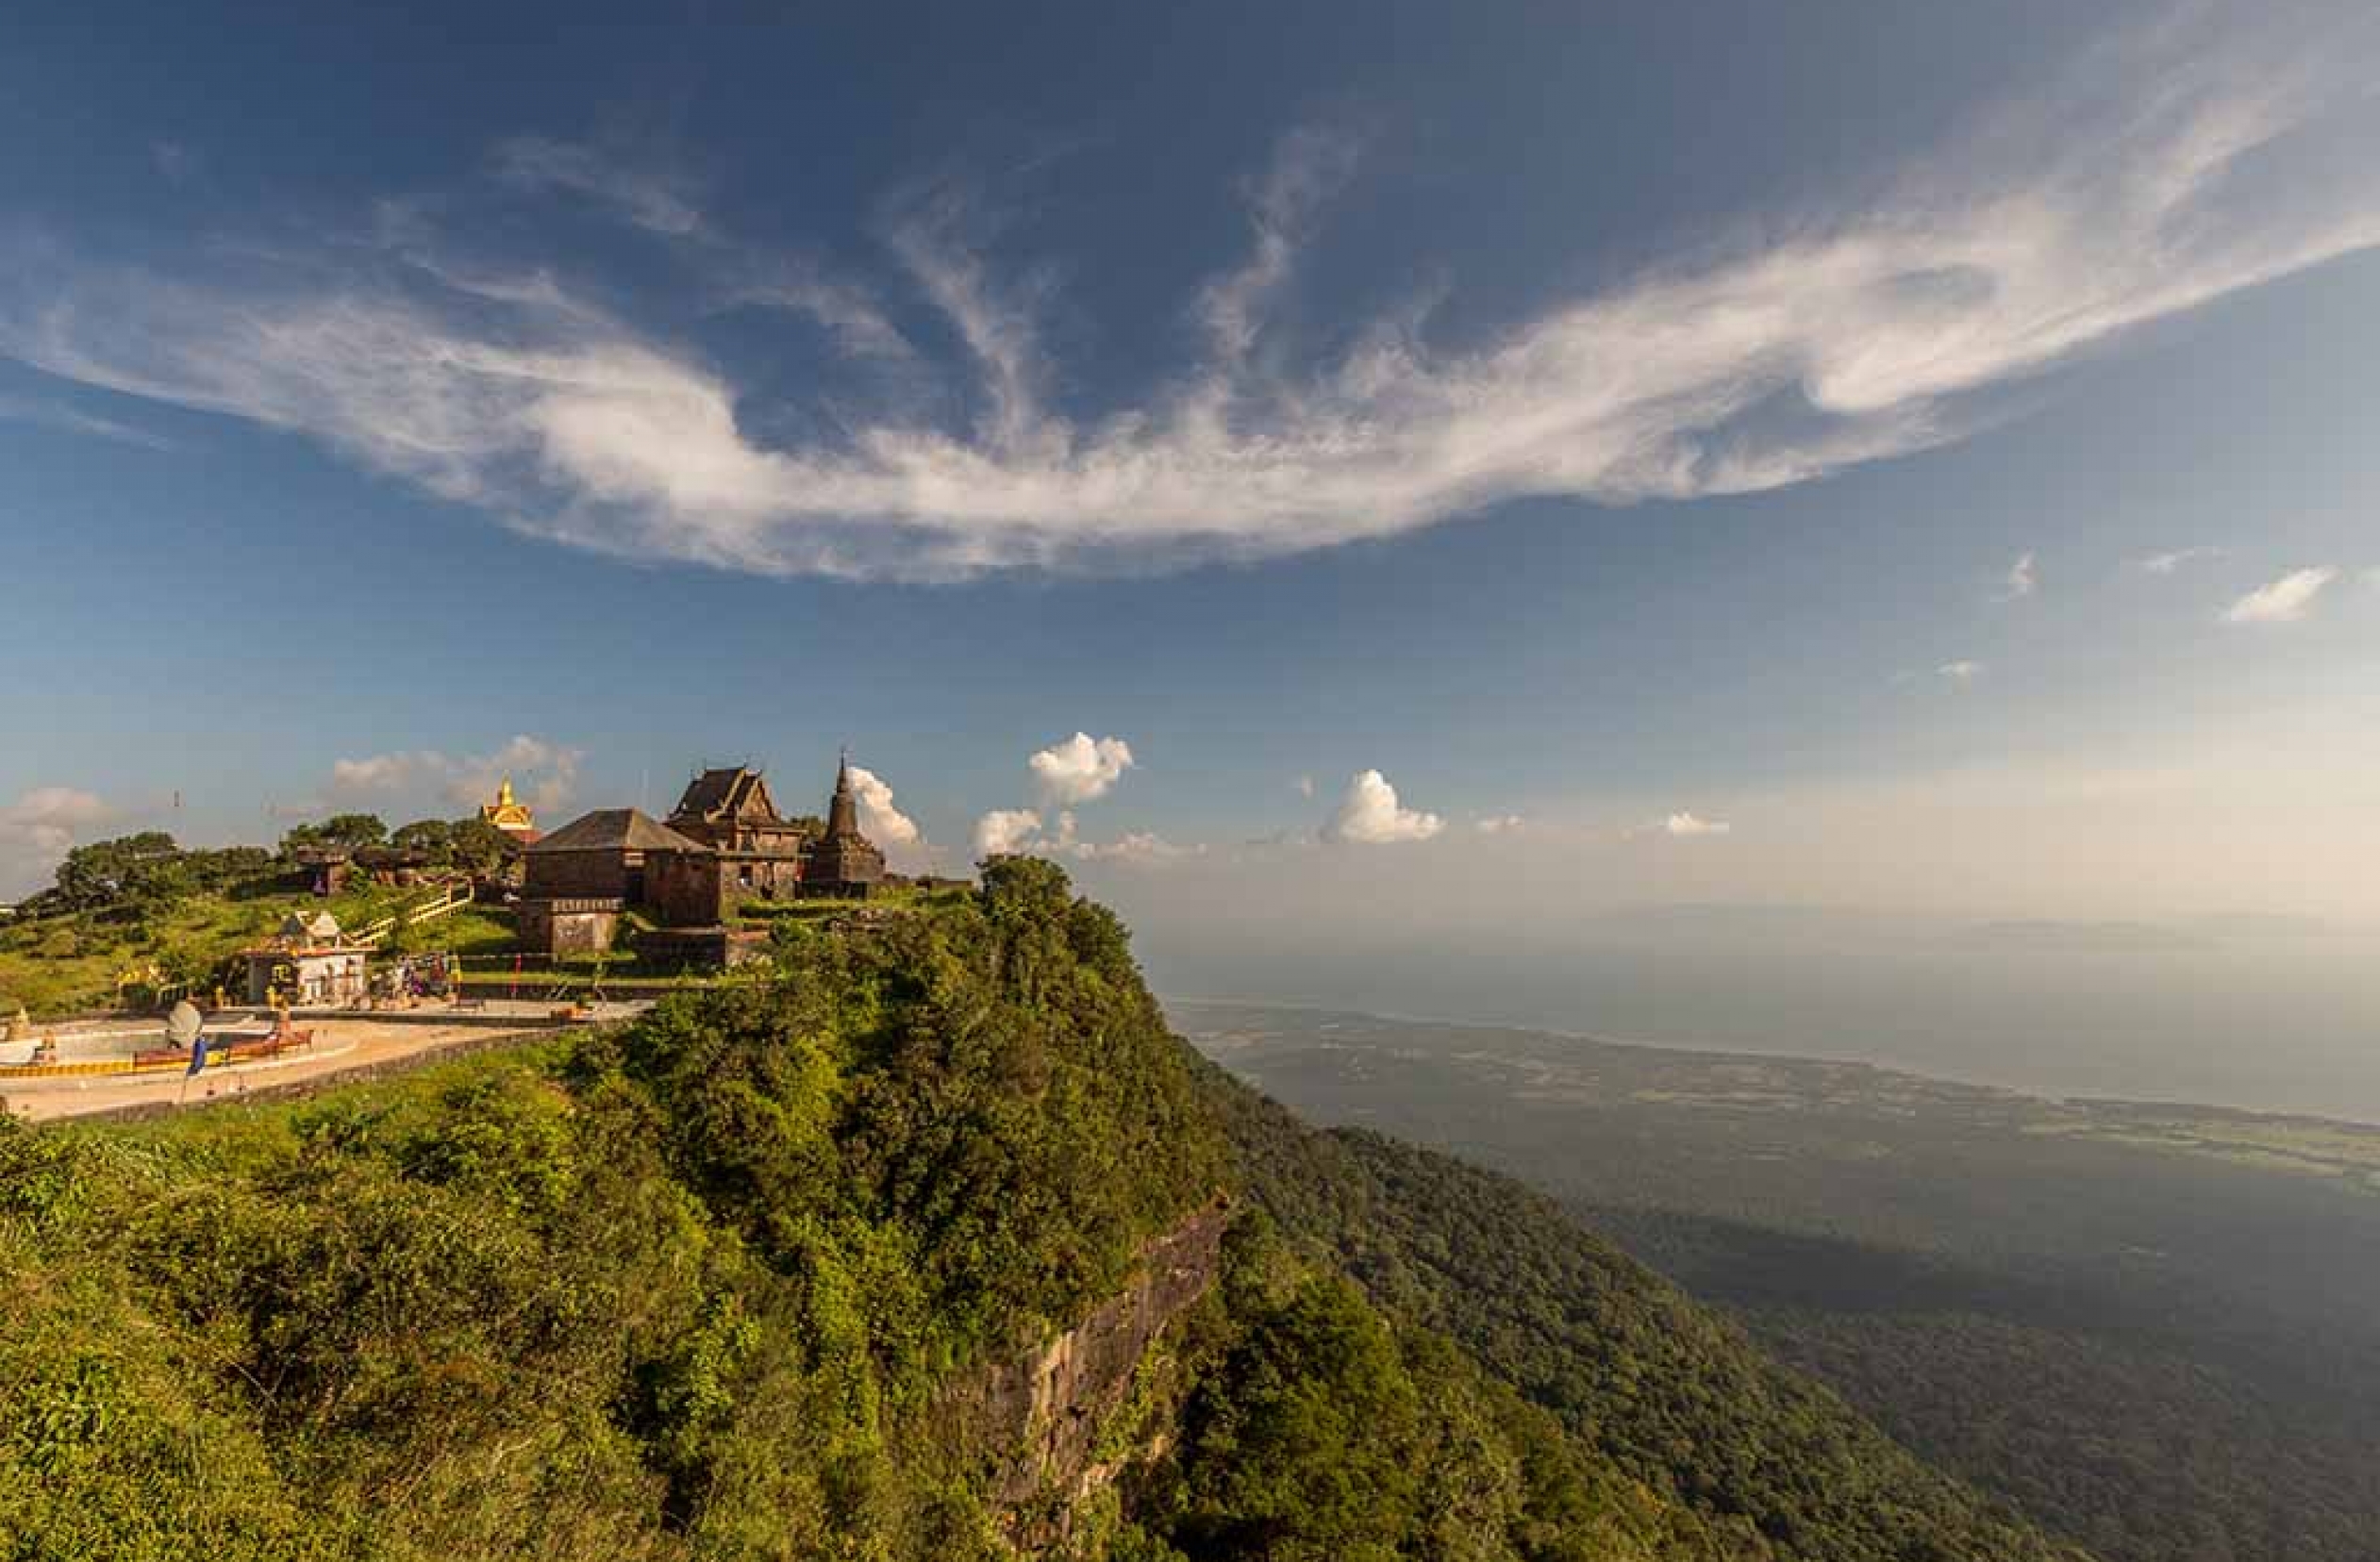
1836	456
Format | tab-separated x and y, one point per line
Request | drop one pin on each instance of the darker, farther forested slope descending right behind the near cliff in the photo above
1629	1363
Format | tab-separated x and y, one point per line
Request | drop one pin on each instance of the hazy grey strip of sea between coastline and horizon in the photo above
2255	1020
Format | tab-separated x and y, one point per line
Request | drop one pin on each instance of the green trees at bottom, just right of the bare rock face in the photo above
1320	1430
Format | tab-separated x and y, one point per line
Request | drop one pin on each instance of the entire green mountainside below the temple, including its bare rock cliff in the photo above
922	1244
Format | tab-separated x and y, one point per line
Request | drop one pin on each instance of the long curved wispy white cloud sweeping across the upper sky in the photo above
2160	177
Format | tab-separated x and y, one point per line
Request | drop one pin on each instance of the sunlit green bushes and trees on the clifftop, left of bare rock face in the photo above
684	1289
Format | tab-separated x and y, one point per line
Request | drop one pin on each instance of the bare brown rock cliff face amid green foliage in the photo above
1048	1408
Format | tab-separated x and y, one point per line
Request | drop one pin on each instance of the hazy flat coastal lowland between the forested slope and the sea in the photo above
2146	1325
